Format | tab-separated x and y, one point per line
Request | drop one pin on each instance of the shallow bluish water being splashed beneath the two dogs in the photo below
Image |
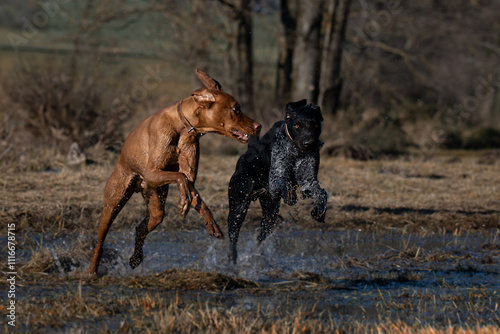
356	263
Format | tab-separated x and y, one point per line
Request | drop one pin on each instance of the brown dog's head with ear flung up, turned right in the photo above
220	113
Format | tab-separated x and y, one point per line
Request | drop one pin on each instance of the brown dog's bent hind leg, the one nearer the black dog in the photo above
155	200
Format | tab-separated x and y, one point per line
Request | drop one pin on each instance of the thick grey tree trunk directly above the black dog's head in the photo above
307	53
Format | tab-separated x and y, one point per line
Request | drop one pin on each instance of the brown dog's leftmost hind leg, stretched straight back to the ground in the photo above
117	192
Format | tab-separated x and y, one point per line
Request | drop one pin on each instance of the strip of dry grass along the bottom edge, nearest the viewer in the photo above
82	310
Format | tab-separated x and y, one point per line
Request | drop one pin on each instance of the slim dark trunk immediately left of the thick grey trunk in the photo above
288	19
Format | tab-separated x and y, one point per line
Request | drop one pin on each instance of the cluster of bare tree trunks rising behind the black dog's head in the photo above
310	53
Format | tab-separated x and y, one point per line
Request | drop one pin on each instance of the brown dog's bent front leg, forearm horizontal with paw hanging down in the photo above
155	179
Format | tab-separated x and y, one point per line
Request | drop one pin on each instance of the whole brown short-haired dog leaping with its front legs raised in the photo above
164	149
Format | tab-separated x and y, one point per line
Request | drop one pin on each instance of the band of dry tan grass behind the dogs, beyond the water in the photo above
425	196
